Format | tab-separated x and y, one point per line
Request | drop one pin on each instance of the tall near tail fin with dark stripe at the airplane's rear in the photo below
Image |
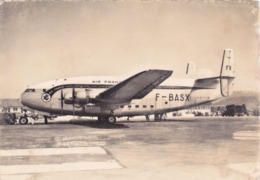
227	73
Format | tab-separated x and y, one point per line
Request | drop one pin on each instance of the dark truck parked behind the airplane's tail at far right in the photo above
235	110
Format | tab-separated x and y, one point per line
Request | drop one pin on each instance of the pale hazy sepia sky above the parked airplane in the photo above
41	41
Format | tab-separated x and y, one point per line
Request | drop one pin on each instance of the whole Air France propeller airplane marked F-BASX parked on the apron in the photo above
146	93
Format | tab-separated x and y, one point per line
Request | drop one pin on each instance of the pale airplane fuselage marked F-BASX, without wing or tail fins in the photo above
169	96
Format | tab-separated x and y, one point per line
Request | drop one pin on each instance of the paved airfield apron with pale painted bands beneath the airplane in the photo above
182	148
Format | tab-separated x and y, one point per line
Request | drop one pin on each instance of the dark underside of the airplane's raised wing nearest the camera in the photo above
135	87
